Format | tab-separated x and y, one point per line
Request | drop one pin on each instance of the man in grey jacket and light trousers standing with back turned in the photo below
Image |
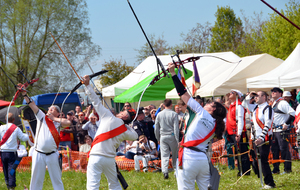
167	135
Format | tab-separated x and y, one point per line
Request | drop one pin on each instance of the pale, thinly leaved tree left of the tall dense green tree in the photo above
196	40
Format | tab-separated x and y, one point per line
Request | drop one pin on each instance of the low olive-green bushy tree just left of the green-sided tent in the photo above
116	71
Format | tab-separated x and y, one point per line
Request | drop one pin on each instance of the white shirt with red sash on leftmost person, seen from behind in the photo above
11	145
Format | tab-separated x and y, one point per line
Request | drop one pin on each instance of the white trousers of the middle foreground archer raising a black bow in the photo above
98	164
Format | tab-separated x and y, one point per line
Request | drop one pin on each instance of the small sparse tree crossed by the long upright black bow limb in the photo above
159	45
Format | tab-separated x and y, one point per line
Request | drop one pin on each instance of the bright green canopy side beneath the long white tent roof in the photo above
154	92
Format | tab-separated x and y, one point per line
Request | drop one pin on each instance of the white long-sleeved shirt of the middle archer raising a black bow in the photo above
108	122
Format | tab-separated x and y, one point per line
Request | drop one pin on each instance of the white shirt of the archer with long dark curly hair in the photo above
200	127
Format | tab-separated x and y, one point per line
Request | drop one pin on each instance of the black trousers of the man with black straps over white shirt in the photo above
280	143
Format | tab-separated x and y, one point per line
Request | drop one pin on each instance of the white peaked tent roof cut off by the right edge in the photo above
274	77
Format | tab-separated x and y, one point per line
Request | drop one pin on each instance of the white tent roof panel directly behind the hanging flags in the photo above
213	70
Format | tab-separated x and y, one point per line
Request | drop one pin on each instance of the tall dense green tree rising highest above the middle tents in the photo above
227	32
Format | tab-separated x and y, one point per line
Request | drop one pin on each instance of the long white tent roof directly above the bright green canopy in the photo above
148	66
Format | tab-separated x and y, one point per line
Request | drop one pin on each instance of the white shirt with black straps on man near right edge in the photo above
280	119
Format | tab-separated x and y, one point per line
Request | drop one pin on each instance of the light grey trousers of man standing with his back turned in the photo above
168	142
